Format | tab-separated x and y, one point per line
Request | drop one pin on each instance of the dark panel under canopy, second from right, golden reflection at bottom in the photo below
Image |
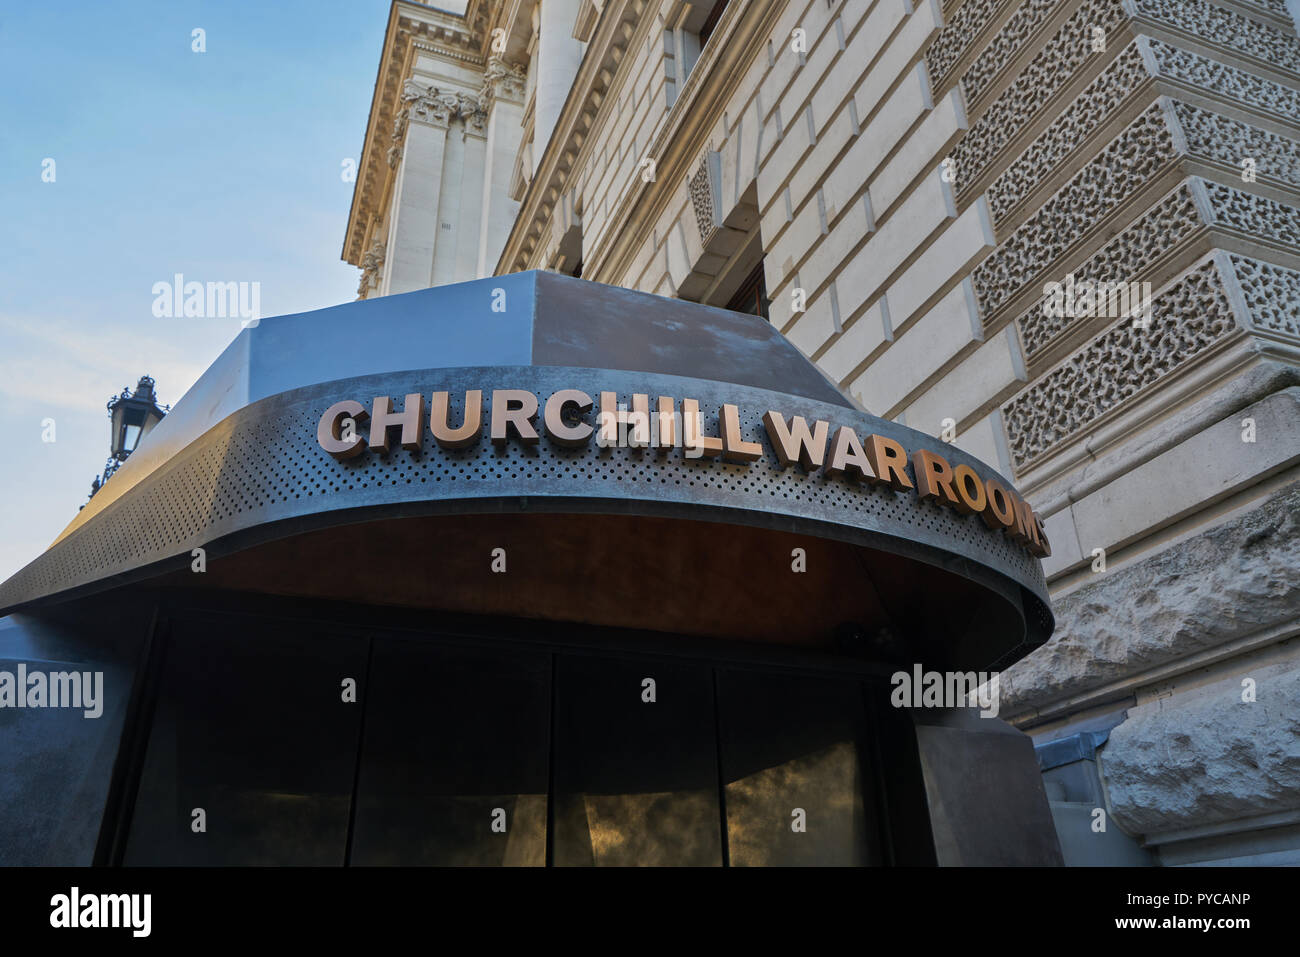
636	782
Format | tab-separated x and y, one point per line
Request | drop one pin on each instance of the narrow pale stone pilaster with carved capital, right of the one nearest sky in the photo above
504	99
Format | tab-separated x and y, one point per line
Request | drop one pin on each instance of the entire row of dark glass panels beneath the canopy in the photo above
460	754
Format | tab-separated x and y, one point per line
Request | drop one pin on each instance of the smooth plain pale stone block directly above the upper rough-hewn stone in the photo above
1210	466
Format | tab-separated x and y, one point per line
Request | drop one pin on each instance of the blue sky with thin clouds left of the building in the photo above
223	166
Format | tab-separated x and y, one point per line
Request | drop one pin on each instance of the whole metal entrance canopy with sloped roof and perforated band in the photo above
237	461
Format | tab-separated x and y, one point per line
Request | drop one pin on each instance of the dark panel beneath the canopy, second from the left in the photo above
454	764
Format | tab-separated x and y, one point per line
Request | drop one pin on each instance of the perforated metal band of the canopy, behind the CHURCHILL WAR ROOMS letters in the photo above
263	466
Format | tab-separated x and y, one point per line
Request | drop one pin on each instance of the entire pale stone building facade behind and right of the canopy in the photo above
1061	235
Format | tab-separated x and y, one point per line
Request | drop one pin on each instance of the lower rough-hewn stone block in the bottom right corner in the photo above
1207	757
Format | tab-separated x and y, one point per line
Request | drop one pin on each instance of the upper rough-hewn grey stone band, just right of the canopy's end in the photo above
1233	581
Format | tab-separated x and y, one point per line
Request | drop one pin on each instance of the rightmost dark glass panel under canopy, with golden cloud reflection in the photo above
794	744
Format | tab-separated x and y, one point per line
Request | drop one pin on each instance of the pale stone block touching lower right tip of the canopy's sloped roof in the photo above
917	356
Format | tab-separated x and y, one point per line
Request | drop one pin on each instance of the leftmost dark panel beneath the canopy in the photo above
253	730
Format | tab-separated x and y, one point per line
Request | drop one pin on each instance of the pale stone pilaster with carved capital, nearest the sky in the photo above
419	144
